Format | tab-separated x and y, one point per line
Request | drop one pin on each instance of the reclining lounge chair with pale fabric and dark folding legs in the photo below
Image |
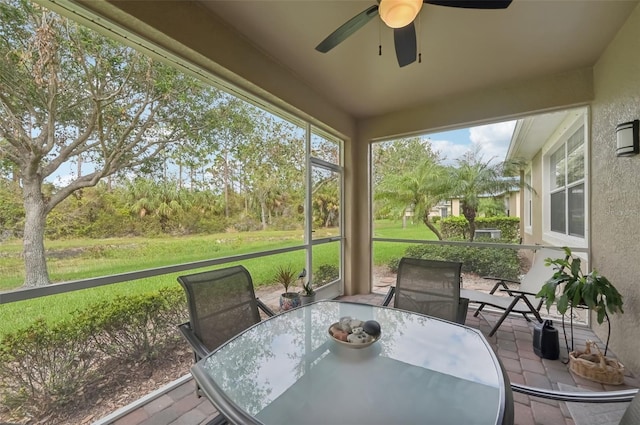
522	300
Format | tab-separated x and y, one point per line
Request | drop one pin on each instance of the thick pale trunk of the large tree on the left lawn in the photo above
36	273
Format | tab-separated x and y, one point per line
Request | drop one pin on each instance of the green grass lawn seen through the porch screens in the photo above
70	260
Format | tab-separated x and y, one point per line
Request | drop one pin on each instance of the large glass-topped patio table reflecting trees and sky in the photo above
289	370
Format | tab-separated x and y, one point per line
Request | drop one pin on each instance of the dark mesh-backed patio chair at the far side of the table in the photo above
429	287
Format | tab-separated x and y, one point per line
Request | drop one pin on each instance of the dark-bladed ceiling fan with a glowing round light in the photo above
399	15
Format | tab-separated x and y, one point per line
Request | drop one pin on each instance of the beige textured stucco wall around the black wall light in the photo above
615	186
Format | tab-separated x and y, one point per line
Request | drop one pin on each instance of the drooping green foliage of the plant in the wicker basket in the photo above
571	287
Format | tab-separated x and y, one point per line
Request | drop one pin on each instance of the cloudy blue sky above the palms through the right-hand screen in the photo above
492	140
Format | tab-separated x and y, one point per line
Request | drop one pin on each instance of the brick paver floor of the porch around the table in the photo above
512	343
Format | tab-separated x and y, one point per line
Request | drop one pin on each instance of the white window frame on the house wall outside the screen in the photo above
559	138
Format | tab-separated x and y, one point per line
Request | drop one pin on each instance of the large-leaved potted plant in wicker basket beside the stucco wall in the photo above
571	287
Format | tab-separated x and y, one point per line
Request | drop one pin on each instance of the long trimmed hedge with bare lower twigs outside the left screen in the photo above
45	366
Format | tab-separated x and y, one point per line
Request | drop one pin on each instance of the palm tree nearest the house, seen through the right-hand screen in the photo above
473	179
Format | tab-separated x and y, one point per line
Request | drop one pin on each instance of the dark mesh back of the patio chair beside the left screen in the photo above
222	303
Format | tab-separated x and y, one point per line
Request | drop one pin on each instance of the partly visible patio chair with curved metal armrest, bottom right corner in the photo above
631	415
